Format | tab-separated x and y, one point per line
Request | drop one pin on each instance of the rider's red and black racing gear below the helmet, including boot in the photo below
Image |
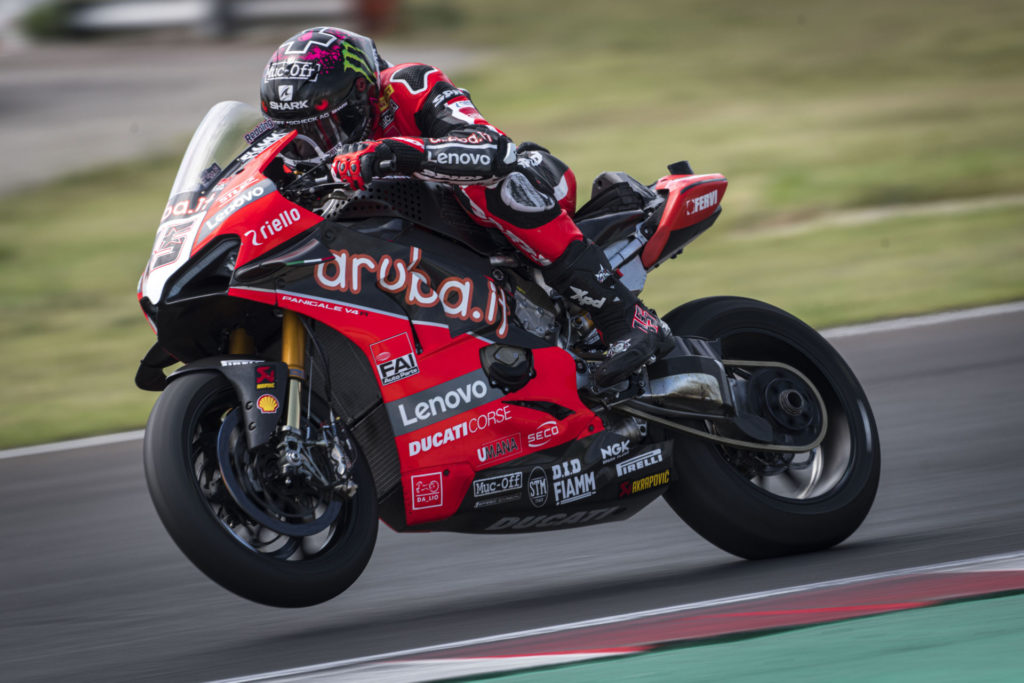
426	127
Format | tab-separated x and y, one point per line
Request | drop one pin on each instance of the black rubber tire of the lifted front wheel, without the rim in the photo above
239	553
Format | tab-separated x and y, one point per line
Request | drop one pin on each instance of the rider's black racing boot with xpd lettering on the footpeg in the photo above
634	334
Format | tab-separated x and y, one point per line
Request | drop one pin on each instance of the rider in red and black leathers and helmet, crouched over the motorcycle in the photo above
377	120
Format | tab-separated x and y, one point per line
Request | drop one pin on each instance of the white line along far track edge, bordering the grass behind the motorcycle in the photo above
835	333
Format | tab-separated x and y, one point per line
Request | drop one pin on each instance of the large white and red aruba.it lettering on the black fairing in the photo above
349	272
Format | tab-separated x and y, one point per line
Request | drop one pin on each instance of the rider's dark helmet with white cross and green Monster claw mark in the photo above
321	82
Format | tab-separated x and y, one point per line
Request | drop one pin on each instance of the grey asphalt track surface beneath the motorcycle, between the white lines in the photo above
93	589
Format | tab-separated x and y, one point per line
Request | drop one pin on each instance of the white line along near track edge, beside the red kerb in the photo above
326	671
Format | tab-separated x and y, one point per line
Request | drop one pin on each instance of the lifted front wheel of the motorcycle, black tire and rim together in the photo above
281	543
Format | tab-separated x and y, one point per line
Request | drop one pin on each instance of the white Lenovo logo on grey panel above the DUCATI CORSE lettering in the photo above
445	401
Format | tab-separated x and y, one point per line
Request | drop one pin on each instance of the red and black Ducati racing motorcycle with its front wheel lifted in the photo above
355	357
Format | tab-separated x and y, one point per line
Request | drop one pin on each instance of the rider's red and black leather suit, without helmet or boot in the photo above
432	130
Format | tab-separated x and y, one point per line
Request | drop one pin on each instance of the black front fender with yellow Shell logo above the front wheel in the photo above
261	385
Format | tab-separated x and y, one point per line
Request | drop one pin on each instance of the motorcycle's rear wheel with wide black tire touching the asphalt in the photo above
759	505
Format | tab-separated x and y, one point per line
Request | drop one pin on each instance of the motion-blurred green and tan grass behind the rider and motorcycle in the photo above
874	152
